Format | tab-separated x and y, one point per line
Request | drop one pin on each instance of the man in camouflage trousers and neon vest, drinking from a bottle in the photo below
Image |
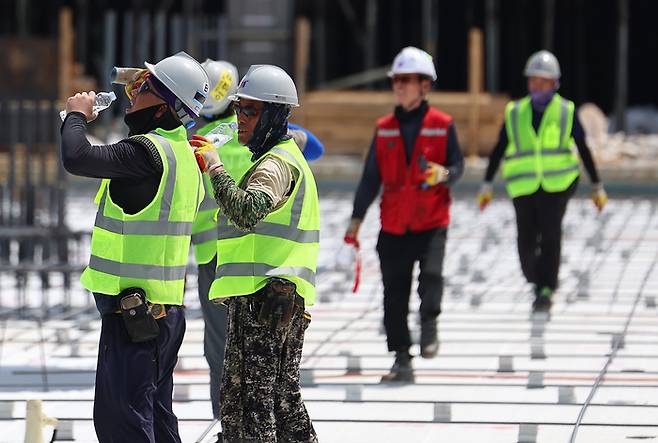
268	239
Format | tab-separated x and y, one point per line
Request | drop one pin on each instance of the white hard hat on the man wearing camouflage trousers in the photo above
267	83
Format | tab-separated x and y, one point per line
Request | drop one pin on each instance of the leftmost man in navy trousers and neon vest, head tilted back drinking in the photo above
148	199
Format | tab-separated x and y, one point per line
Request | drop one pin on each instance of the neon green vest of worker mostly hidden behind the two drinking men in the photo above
237	160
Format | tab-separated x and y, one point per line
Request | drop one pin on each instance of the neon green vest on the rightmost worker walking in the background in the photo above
545	159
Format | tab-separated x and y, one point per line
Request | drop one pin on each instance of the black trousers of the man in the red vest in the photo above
397	255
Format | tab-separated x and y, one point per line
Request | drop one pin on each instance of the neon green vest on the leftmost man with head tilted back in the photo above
149	249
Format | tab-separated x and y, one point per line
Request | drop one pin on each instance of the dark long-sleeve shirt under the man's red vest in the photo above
410	125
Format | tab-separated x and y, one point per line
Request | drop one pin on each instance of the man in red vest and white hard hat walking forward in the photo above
415	157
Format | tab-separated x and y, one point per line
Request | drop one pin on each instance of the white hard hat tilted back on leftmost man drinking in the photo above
185	78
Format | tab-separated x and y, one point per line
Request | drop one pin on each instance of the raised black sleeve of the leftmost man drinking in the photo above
125	159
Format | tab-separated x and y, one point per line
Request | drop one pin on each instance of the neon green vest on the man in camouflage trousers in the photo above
284	244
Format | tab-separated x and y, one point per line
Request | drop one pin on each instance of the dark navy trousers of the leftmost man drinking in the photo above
134	382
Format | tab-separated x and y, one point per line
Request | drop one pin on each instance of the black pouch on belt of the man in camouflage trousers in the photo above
278	304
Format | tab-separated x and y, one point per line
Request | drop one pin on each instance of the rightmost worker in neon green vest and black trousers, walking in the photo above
541	172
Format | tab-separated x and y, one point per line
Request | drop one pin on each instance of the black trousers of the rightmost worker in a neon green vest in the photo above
539	229
